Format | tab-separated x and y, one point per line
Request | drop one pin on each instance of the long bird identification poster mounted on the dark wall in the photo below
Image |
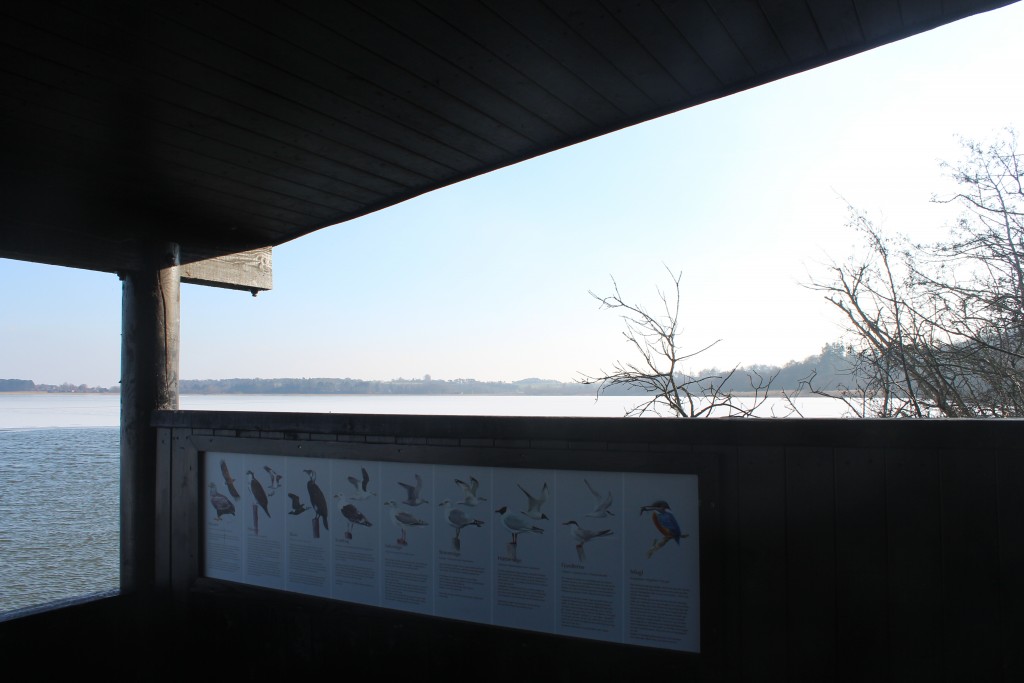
611	557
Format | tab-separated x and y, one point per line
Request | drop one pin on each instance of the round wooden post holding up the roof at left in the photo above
150	335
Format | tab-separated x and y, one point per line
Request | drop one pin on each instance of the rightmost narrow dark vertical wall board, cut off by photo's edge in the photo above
1010	508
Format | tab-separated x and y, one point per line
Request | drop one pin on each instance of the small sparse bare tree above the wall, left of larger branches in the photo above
660	373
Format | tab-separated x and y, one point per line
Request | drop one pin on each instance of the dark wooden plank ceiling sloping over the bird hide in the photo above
230	125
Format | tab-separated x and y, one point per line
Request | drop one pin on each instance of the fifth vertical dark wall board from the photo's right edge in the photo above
810	511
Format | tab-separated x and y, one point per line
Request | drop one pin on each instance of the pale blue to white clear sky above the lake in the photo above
491	279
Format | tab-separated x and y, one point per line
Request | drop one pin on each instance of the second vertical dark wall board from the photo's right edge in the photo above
970	561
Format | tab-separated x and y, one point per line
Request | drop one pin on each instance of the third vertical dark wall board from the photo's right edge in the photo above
915	546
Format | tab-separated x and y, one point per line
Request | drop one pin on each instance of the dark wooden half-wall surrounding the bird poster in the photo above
832	550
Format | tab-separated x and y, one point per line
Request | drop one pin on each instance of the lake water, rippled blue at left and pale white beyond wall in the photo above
60	472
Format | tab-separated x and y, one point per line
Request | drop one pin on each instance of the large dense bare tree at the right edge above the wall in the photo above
937	330
